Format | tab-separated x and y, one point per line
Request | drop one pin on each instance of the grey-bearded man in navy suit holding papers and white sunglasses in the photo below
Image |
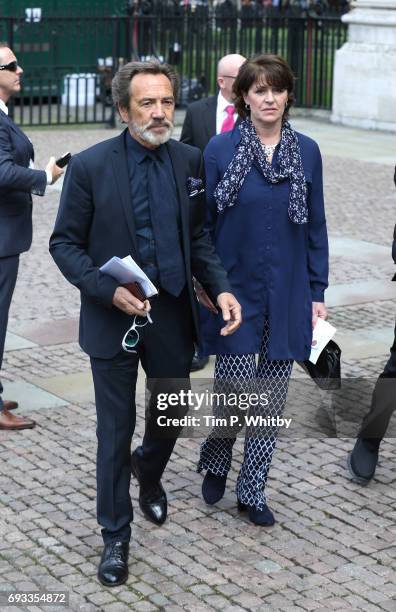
140	194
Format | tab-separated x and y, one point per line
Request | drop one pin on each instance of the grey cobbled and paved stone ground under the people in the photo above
334	543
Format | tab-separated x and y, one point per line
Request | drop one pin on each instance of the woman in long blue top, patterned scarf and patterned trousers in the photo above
266	214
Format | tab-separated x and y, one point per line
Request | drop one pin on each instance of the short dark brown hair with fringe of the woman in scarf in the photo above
277	73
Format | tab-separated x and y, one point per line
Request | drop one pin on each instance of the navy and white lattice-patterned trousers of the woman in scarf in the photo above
241	374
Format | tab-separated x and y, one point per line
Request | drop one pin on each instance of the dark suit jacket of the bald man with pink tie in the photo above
200	122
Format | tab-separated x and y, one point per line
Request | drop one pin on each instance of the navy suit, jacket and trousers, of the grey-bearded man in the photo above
95	222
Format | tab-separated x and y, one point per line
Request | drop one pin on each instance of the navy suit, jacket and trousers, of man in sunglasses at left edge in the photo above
17	183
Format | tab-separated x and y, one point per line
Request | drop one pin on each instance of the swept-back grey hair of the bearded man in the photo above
120	86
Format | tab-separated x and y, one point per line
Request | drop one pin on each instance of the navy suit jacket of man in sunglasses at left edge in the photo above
17	183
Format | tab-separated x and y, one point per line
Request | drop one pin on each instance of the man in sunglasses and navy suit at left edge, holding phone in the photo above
18	181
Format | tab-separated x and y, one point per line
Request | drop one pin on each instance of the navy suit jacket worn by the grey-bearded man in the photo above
95	222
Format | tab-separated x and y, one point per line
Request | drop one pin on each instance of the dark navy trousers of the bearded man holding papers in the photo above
165	351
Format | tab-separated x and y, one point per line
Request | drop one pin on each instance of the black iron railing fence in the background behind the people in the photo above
69	62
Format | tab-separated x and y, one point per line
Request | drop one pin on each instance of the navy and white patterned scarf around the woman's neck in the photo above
290	167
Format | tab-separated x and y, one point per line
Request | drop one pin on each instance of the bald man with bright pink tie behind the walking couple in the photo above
210	116
